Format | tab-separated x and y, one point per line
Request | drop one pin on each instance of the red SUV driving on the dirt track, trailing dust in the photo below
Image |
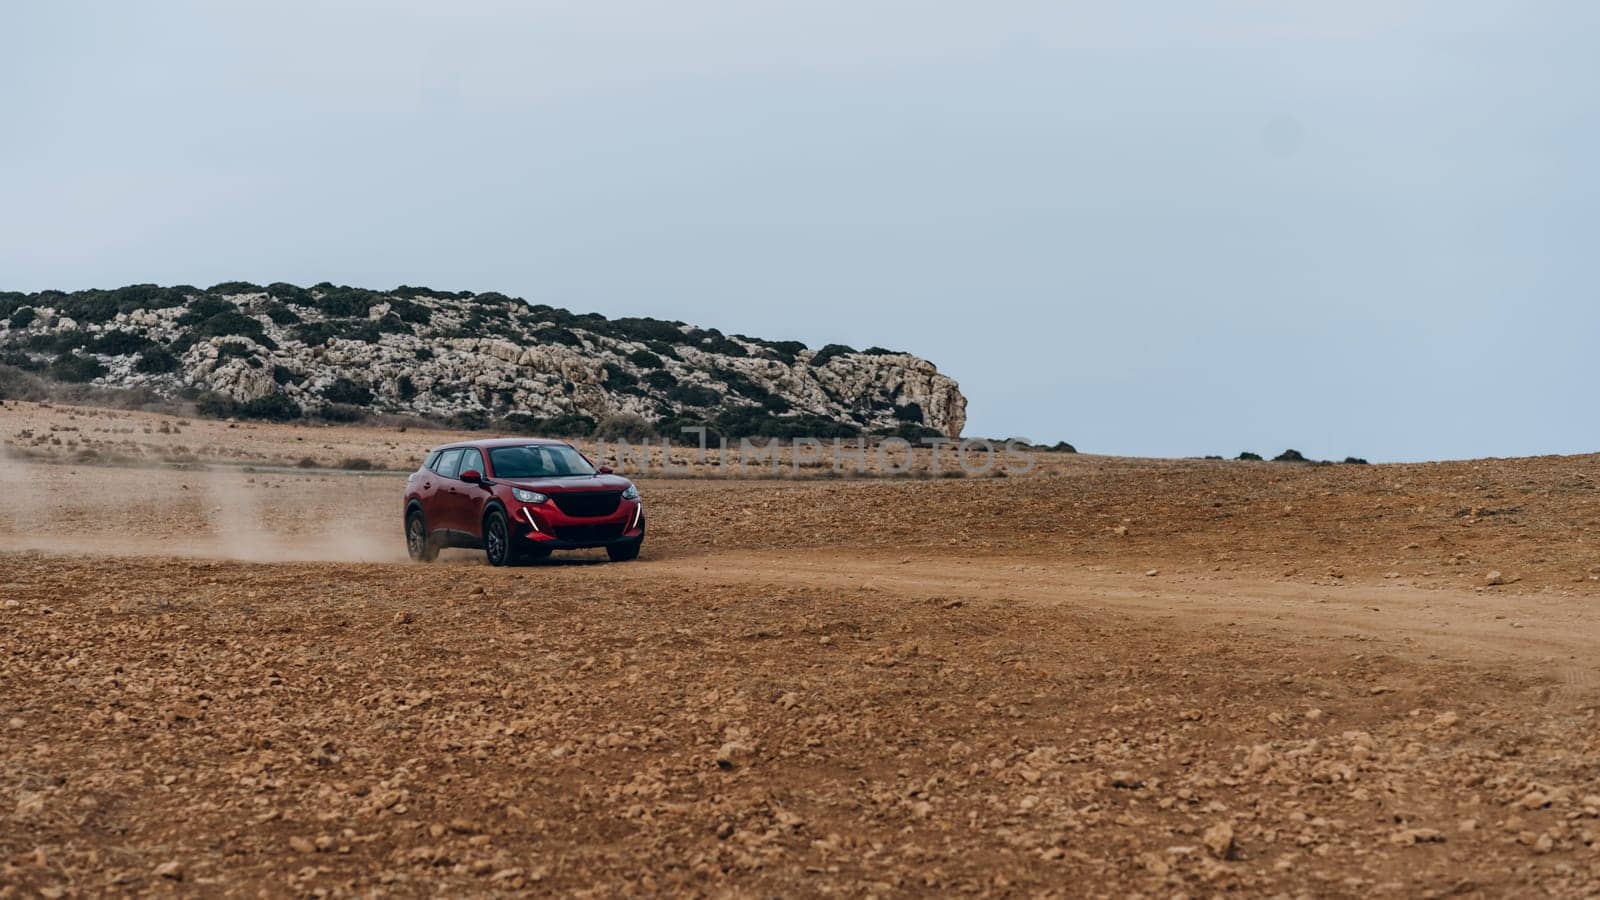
519	499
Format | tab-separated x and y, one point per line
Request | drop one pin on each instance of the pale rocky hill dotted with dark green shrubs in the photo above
473	361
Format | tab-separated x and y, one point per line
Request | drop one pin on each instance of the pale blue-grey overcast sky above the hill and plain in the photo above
1145	228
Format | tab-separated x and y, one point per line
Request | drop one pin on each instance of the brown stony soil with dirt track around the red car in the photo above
1108	678
